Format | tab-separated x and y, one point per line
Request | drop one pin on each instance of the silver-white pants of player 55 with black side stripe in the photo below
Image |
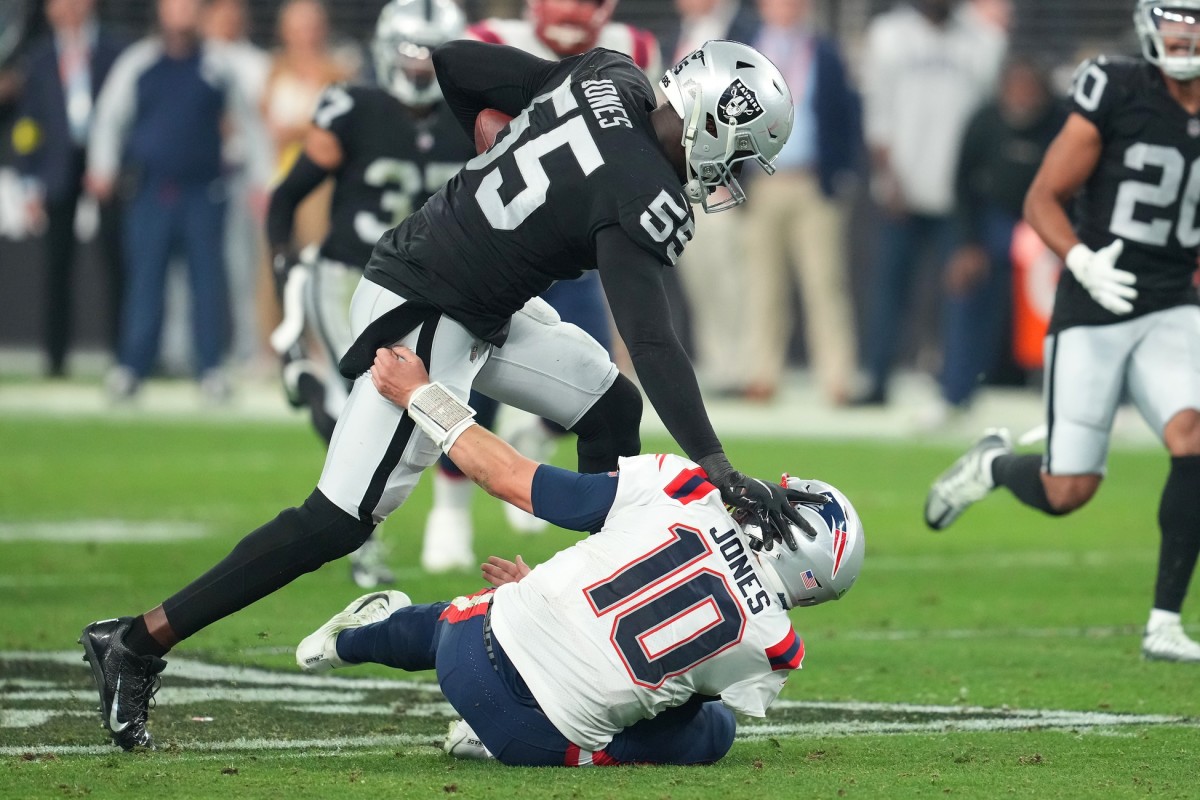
548	368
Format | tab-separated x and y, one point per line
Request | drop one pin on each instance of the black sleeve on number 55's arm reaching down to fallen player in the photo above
633	282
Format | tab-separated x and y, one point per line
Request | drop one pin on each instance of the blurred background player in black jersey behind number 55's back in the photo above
389	148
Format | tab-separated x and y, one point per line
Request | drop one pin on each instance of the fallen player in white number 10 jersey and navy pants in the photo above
635	645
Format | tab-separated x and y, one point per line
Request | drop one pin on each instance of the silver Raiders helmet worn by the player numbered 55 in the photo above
736	107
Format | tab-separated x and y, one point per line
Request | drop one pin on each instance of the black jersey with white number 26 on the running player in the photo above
1144	190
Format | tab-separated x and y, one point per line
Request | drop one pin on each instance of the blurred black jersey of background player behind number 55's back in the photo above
393	163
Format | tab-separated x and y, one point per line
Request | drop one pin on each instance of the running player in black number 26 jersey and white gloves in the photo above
1126	316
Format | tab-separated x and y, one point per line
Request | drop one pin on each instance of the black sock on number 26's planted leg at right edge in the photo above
1179	518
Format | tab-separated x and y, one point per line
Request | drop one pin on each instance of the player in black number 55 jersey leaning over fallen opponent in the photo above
590	175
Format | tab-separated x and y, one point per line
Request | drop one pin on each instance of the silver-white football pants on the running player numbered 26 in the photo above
1155	359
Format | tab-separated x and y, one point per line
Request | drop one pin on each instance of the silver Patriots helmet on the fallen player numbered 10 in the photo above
821	569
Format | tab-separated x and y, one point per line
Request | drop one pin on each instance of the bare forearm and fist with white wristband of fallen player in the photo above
399	375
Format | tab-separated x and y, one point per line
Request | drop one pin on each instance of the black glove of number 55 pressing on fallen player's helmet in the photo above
770	504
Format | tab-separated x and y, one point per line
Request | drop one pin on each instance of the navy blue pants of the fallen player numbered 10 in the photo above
494	700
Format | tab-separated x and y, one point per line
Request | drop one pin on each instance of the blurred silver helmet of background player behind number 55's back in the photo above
404	44
